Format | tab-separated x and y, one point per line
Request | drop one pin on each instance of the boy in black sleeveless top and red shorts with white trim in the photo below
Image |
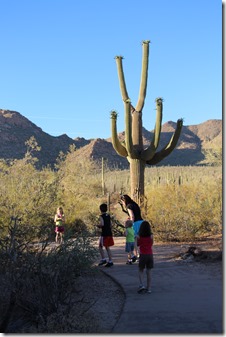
106	239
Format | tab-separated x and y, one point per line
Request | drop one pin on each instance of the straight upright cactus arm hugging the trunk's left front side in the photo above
128	130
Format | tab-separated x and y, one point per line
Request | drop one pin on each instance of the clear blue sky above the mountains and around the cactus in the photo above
58	67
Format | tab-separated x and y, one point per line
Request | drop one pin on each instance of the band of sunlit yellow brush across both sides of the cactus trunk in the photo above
77	186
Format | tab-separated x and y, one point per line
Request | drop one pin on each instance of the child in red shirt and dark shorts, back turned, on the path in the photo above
145	242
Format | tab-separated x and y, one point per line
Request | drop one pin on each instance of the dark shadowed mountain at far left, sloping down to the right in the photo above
16	129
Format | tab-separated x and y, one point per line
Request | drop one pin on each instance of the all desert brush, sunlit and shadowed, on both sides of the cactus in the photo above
40	279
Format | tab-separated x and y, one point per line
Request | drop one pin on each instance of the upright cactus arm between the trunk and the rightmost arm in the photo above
148	153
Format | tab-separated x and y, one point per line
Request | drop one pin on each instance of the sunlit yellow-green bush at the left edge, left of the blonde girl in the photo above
26	193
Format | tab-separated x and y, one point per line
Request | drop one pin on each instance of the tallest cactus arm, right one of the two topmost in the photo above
144	76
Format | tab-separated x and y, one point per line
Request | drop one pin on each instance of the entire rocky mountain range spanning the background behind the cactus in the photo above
198	144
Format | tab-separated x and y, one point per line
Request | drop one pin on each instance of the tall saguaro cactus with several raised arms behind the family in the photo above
132	148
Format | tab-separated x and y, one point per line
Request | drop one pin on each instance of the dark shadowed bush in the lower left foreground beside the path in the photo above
41	277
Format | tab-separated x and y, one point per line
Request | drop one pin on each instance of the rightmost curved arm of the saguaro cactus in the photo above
169	147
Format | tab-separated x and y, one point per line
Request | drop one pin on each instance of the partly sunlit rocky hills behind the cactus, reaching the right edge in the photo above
195	144
